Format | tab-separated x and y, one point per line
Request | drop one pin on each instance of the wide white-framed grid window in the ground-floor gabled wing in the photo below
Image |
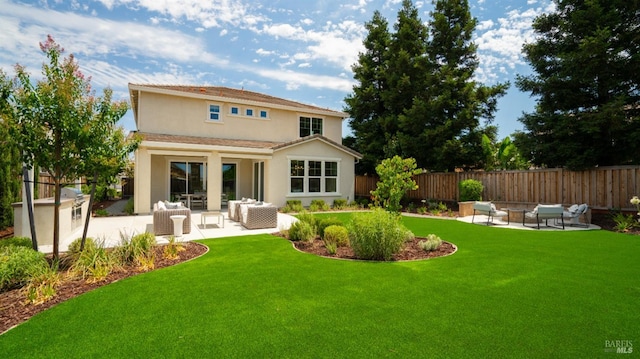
313	176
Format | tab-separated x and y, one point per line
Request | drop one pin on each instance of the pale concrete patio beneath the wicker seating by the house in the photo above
112	229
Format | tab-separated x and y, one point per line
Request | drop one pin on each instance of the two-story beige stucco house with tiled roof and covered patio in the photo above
231	143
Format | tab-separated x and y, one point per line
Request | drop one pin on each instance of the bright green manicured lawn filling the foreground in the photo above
505	293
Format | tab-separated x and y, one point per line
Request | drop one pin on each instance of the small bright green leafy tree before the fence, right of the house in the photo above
396	178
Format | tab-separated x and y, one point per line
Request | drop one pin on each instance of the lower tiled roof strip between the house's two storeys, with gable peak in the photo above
240	144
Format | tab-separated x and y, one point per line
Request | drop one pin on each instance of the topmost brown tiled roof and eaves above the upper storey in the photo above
226	94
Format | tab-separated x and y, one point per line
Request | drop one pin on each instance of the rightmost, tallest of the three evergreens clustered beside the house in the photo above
443	131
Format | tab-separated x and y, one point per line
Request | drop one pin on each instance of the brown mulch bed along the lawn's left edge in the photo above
14	310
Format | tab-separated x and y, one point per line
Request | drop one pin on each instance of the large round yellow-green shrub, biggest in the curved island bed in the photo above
377	235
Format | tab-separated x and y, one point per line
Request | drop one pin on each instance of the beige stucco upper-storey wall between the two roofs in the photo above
158	113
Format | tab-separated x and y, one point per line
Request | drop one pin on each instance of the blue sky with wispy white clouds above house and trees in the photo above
294	49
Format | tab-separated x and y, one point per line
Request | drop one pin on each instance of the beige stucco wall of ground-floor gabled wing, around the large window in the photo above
277	188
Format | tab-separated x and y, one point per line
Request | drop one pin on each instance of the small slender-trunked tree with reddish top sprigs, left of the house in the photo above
61	125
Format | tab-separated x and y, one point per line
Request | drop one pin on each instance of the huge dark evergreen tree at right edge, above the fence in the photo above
586	64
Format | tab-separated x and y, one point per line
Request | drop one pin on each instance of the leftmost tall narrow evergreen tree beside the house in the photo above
365	105
